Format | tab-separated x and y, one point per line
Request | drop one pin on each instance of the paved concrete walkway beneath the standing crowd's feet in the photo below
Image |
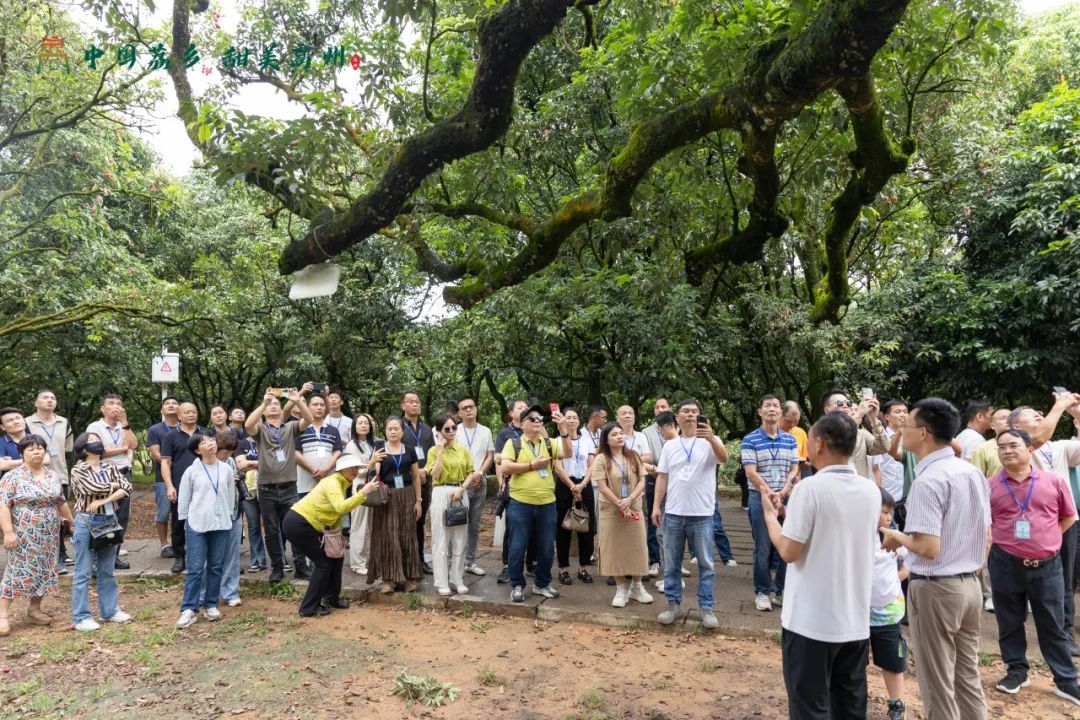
579	603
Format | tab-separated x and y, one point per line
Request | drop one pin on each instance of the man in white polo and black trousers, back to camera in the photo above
829	541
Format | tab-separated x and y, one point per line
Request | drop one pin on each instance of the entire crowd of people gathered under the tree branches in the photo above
882	515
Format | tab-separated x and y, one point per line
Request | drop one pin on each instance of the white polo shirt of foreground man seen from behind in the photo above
834	514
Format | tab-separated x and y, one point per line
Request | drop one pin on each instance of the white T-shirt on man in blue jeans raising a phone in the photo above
692	478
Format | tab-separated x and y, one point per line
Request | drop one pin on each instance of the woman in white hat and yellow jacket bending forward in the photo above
322	510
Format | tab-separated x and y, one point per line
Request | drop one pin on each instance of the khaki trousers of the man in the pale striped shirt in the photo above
944	617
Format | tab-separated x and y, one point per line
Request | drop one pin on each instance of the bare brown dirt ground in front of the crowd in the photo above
264	661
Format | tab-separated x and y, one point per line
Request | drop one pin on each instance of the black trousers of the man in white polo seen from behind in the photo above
825	681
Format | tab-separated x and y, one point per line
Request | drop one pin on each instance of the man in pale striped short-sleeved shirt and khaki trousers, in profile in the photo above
948	537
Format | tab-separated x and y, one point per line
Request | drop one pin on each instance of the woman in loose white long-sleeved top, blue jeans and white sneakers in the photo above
206	502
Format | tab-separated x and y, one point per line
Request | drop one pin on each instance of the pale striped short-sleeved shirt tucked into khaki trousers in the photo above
951	500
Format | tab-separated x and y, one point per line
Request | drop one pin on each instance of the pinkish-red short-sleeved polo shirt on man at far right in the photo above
1051	501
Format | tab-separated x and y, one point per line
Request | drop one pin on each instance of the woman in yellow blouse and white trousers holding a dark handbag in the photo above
452	472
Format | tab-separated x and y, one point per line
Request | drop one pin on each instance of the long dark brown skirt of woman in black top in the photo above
395	556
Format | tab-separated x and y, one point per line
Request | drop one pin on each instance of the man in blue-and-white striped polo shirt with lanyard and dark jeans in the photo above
772	460
